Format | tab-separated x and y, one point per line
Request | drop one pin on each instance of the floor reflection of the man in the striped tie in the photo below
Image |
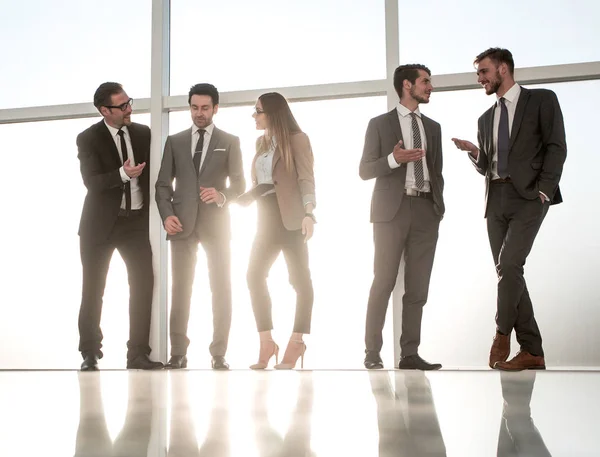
406	416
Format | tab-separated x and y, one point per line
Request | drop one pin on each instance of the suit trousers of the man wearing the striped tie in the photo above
413	232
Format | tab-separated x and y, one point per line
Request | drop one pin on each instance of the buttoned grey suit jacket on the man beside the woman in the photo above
223	160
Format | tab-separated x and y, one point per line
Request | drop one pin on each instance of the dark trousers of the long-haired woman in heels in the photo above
271	239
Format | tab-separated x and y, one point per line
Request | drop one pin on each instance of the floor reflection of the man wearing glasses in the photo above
93	438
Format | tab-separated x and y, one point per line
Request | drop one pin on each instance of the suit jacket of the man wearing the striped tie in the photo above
383	133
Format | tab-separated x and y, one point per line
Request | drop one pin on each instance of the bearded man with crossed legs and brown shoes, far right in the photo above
521	153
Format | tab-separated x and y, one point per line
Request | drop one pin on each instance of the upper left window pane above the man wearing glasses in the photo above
60	52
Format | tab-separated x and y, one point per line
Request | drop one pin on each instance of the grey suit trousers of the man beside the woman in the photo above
183	264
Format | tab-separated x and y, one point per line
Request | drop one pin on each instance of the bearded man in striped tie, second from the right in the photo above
403	151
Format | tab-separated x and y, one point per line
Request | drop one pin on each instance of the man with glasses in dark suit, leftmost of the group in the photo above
114	156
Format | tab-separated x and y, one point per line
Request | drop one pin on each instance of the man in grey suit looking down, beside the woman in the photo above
199	159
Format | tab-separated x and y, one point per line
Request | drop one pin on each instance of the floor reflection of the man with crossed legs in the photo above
519	437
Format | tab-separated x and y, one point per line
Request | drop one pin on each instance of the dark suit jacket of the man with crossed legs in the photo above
537	147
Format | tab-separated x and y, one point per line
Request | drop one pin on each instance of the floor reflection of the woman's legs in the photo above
296	441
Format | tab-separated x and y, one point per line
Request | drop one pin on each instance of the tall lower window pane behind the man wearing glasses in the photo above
41	280
